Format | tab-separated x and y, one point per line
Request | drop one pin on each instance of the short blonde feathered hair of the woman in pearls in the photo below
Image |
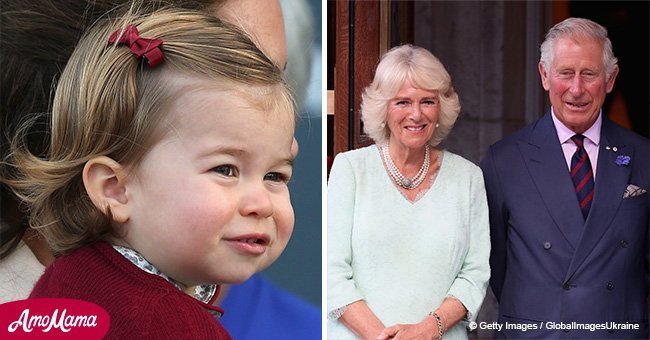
423	70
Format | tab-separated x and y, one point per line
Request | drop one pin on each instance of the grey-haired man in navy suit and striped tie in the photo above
569	205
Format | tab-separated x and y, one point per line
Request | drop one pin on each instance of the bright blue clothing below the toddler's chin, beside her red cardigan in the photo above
256	309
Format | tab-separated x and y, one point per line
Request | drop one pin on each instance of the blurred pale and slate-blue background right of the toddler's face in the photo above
299	268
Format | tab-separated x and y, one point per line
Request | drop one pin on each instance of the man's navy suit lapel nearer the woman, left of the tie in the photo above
544	158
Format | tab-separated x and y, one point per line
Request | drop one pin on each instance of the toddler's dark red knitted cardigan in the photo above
140	305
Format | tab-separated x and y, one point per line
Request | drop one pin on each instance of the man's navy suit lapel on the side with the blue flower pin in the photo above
611	181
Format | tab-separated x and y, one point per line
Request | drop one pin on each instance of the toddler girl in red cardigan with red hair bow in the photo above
167	172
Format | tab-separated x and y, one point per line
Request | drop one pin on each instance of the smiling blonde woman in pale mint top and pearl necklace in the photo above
408	238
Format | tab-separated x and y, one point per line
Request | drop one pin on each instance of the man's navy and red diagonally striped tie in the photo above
582	175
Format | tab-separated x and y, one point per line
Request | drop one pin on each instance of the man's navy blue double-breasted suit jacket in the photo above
551	268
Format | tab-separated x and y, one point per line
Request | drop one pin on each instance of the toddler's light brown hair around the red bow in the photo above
109	103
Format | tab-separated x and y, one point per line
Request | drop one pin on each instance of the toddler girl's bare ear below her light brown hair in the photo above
104	180
